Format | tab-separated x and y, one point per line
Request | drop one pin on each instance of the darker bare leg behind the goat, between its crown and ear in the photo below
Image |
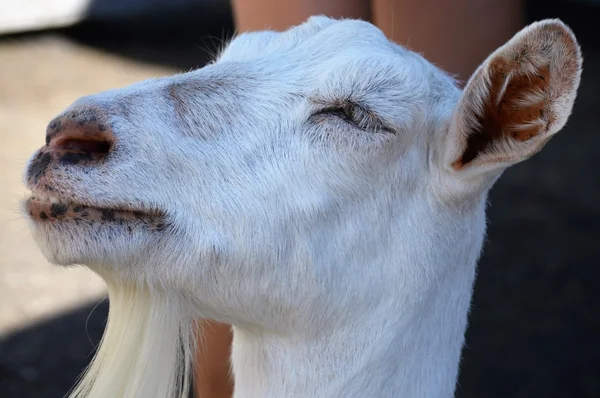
455	35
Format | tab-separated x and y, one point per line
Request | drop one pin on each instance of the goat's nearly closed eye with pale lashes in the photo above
354	114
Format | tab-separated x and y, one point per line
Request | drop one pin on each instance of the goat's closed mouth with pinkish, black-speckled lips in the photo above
46	209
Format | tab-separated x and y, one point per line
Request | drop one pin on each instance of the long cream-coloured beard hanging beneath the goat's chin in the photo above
146	350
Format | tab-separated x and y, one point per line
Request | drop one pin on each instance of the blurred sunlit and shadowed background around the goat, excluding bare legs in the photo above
535	322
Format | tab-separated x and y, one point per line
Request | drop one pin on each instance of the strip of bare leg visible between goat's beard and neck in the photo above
212	376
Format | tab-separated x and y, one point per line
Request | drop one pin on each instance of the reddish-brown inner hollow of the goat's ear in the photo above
516	107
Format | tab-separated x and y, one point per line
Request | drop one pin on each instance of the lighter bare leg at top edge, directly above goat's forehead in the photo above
279	15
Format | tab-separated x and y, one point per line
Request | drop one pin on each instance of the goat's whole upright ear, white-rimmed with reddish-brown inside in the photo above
516	100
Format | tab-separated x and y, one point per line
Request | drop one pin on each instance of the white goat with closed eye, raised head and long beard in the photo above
322	190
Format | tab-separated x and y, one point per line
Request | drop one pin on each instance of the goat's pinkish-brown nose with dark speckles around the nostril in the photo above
80	136
